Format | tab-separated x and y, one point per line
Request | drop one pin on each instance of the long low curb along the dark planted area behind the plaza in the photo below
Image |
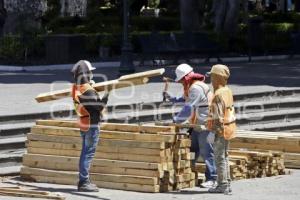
115	64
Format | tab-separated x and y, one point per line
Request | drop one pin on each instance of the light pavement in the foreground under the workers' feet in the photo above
276	188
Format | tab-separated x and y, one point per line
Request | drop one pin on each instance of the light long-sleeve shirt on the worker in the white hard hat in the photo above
196	101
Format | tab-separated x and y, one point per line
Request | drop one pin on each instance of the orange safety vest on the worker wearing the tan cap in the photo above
229	122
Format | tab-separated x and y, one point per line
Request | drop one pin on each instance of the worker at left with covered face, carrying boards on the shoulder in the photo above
88	106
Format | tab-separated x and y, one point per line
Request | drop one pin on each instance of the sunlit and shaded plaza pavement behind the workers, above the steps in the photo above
19	89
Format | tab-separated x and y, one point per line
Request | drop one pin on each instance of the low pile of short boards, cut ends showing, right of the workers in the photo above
252	164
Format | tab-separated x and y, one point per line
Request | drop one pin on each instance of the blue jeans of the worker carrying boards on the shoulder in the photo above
90	140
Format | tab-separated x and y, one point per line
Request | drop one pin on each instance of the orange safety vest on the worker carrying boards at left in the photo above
83	114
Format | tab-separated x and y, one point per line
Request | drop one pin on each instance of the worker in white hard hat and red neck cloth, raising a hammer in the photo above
195	110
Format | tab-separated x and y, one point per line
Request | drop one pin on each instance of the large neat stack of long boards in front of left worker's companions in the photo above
129	157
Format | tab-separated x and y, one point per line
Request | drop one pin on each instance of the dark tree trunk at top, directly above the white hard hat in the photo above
189	15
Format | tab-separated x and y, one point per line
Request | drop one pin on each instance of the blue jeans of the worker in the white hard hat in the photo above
202	148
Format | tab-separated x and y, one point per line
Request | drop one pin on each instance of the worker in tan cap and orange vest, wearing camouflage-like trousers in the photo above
221	123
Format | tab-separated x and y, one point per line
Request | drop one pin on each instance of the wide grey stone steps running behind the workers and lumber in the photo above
265	111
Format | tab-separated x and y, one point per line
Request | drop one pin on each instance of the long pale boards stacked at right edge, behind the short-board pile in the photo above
288	143
